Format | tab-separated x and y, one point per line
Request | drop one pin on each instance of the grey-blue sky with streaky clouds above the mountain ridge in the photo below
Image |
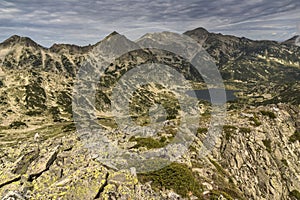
87	22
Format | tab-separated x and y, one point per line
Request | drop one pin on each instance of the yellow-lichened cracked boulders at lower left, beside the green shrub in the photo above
63	169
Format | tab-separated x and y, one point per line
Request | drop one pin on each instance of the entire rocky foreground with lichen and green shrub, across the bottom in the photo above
253	159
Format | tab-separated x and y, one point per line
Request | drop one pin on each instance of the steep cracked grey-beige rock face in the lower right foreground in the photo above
261	158
